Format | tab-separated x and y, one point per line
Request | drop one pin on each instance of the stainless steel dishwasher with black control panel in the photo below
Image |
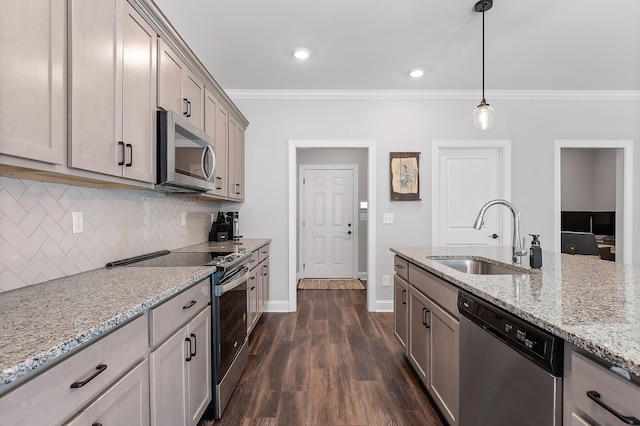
510	370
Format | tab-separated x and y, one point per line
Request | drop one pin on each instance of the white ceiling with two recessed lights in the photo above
372	44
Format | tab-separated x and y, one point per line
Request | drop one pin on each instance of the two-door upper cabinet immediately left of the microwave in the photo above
112	89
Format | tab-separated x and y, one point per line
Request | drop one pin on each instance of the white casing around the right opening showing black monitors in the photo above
623	191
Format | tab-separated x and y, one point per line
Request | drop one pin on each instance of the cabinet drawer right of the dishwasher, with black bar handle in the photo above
619	394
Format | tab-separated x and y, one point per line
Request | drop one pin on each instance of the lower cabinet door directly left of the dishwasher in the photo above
443	358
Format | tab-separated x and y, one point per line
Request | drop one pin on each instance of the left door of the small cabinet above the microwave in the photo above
170	75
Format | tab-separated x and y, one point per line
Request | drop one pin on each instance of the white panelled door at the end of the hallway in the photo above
328	227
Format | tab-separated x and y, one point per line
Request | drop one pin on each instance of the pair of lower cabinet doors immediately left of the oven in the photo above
180	374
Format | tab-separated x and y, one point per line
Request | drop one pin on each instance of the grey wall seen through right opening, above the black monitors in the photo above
588	179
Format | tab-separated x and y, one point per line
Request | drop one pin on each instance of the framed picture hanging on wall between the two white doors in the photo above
404	170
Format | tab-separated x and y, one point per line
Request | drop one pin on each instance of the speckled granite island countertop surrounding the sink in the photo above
591	303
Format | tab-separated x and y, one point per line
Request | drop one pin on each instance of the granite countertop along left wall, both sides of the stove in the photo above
43	323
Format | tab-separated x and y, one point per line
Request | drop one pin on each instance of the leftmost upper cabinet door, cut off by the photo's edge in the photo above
32	79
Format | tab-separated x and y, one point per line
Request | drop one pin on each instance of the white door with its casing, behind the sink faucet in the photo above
467	174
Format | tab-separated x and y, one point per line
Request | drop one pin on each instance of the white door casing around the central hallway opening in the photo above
296	147
